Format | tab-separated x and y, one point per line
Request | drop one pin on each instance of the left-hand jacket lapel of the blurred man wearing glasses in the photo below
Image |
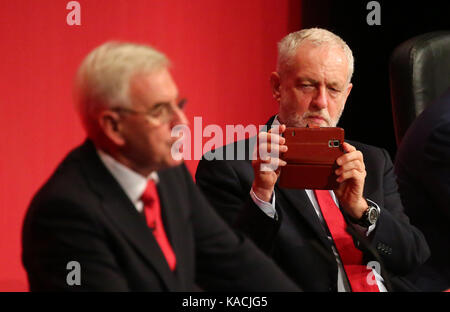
118	207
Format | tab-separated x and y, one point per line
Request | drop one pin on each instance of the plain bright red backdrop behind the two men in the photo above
222	51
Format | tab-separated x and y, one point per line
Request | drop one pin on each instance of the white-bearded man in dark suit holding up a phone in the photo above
347	239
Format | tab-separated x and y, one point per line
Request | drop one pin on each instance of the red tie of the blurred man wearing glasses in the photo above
152	210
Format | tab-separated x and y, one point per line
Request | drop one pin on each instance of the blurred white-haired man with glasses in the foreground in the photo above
120	213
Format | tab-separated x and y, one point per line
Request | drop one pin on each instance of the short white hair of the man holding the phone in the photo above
288	46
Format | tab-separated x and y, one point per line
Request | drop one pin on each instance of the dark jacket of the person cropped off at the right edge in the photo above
423	169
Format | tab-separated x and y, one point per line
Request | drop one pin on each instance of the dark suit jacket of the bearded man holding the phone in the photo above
298	241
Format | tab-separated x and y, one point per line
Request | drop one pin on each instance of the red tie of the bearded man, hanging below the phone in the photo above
352	257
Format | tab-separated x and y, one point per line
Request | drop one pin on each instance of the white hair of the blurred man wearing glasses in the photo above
103	78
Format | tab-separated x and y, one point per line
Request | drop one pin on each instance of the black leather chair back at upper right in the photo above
419	71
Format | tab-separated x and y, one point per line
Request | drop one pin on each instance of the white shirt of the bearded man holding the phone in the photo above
342	282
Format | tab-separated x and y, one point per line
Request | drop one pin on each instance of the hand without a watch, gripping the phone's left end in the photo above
267	163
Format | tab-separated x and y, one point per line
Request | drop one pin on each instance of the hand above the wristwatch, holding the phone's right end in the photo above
351	175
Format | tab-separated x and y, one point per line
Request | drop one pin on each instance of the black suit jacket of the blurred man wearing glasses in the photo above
82	214
